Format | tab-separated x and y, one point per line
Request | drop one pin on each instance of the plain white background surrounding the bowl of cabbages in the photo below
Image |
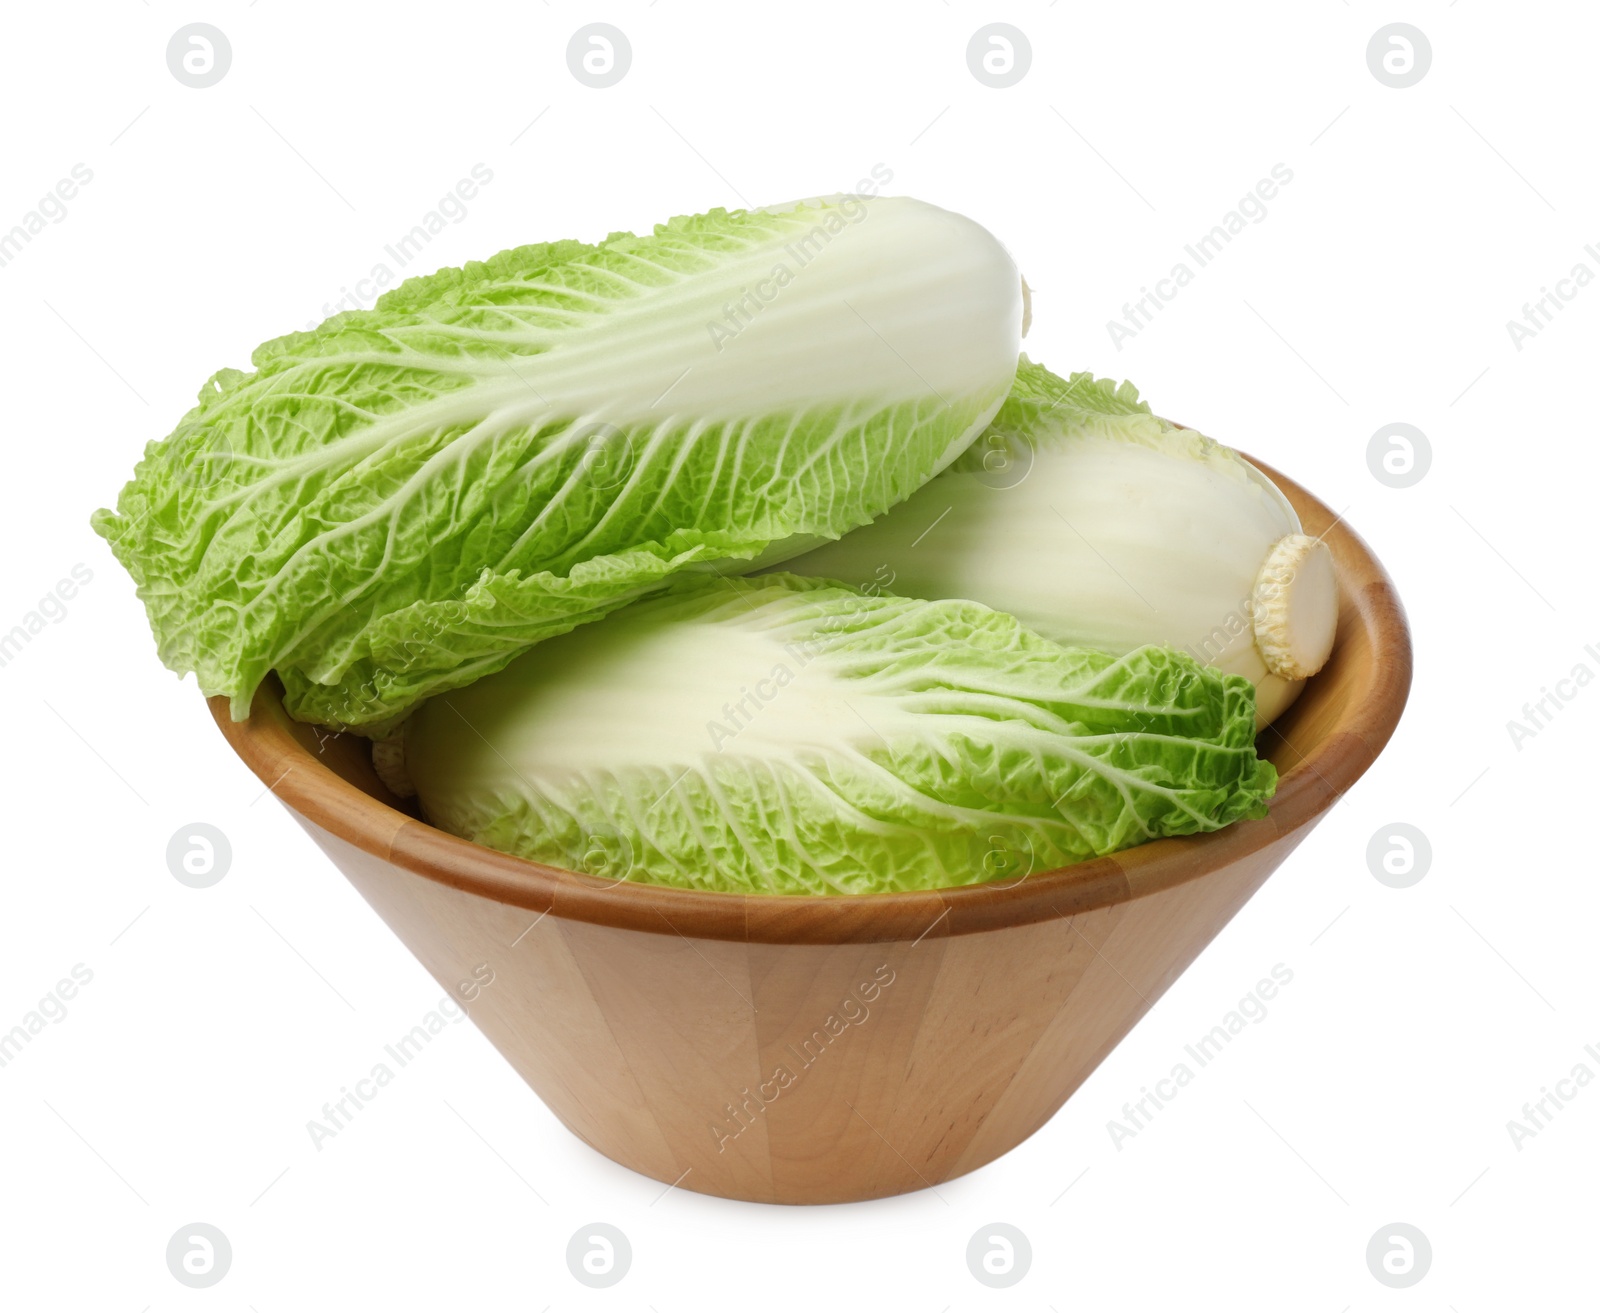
1420	1021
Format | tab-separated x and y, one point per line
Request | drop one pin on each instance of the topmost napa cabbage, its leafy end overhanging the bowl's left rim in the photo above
406	498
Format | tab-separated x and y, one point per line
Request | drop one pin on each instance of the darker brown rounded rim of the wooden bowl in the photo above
278	752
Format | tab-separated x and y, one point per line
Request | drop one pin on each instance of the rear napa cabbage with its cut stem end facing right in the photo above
1095	522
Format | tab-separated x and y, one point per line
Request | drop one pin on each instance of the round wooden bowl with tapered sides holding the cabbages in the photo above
822	1050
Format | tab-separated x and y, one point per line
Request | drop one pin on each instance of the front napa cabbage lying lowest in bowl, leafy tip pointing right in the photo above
793	736
